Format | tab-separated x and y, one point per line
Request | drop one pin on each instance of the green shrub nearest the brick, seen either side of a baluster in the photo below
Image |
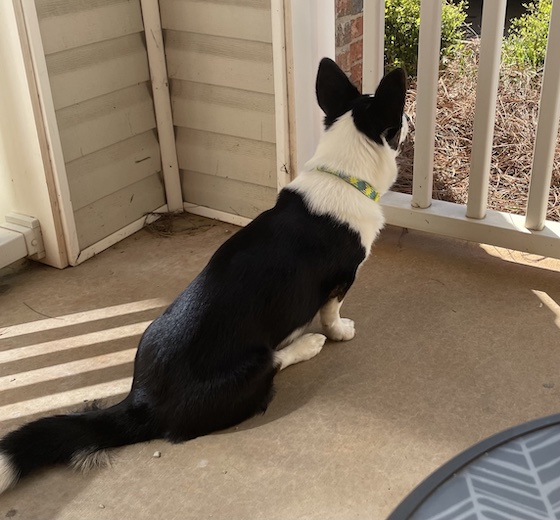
402	25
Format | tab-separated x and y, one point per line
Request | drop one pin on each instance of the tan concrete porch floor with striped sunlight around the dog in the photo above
455	342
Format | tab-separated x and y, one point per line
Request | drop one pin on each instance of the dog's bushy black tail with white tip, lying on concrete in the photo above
76	439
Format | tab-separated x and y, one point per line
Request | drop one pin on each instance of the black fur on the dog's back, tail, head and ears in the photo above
208	361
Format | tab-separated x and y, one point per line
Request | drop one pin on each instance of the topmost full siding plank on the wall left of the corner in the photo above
95	23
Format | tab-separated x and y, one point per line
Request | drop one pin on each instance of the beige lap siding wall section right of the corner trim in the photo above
219	59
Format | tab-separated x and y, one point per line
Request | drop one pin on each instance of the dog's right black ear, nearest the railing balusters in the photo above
390	98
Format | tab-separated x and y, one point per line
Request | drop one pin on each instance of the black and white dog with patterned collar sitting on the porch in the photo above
208	362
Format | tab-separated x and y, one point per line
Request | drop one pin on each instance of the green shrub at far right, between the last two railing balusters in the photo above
525	45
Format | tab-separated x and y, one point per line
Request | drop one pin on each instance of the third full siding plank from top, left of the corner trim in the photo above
100	122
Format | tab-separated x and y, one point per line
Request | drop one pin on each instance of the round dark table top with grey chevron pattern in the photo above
513	475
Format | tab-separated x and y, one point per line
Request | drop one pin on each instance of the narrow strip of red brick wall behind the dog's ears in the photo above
349	36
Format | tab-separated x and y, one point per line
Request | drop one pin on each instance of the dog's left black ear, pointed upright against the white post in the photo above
334	90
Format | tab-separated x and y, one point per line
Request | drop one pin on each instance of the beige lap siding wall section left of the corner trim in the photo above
98	71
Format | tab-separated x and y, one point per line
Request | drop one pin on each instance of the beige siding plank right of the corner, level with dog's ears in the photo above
223	110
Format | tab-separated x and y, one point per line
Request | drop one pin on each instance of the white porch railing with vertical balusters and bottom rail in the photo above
531	233
